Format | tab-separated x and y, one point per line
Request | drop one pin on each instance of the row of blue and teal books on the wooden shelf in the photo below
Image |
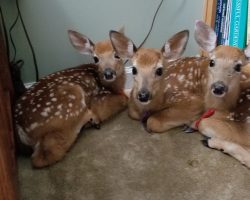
232	25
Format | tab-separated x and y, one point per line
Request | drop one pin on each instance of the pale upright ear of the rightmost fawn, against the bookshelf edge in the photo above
205	36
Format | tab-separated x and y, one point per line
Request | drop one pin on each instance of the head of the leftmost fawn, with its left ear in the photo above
109	64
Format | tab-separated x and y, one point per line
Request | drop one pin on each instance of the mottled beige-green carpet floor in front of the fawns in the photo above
123	162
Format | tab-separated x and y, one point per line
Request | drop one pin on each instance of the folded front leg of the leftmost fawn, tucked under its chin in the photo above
105	106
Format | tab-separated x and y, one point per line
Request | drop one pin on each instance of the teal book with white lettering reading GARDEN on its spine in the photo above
238	25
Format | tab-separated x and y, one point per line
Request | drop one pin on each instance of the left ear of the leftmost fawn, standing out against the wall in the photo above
81	43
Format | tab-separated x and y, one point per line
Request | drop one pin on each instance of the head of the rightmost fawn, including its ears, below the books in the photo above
225	65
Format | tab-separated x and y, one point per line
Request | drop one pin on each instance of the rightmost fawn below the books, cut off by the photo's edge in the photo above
228	129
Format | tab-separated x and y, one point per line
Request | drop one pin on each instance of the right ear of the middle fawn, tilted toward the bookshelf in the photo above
176	45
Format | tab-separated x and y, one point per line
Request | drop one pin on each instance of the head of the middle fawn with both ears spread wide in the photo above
148	64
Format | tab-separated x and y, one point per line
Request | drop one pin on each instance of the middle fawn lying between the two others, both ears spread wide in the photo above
167	89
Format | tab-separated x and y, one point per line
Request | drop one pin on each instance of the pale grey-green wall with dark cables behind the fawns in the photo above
47	22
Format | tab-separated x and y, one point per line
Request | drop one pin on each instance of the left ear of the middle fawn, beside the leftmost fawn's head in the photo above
122	45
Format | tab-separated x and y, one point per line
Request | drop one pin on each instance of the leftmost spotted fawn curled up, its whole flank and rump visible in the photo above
52	112
